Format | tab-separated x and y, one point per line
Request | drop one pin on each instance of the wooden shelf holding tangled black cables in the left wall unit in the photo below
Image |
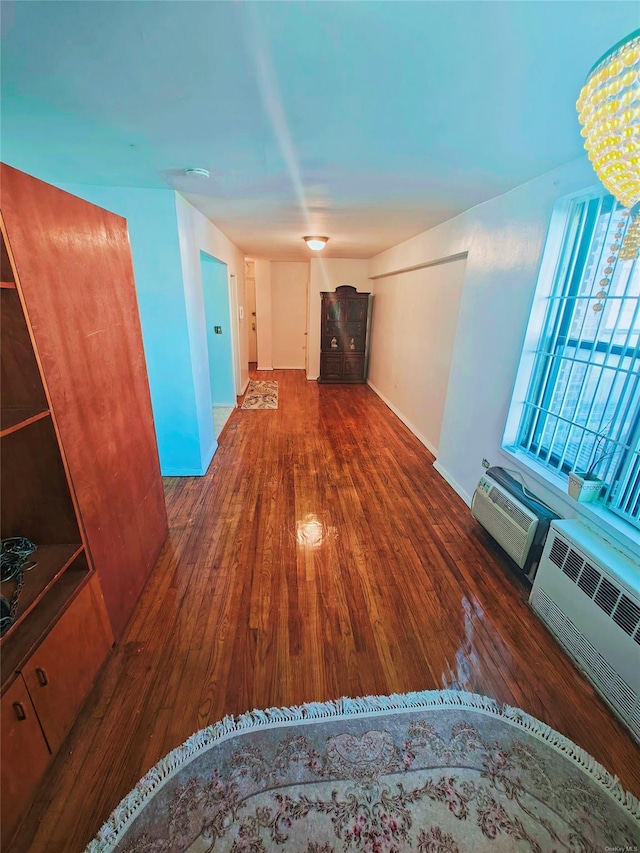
17	646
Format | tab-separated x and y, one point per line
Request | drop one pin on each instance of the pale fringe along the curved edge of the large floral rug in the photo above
202	740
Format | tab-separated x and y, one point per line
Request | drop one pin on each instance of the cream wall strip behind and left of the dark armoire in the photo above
325	275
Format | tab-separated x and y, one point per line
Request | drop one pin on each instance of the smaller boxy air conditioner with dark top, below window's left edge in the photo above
510	522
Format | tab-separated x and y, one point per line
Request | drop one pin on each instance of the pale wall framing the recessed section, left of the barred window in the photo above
504	238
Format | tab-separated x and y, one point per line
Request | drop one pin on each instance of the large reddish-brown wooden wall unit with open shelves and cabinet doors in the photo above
80	471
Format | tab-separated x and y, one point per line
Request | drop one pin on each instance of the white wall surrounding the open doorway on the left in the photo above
196	233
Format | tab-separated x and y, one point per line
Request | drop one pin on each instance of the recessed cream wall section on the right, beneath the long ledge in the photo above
415	316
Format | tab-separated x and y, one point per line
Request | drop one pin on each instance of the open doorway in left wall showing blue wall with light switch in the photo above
215	289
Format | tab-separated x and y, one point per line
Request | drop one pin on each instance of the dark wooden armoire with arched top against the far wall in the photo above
343	335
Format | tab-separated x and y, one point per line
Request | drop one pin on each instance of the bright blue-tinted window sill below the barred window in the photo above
622	535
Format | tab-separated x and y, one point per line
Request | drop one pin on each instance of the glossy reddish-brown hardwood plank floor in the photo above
321	556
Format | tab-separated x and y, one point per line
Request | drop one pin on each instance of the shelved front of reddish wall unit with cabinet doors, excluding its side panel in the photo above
38	504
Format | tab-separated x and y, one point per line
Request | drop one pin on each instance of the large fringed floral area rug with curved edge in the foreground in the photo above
433	772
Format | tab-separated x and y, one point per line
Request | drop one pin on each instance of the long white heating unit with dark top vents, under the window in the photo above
588	593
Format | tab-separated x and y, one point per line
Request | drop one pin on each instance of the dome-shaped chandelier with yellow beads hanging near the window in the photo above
609	110
